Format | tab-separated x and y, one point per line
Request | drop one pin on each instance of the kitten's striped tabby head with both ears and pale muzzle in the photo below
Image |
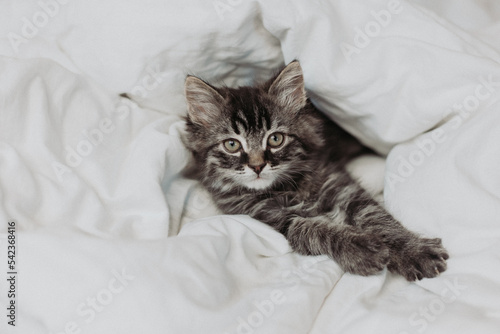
252	137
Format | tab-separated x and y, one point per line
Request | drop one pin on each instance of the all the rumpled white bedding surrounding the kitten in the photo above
112	239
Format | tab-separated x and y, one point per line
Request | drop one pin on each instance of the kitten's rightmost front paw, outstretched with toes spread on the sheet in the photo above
420	258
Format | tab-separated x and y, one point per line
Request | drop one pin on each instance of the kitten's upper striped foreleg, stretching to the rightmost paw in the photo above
411	256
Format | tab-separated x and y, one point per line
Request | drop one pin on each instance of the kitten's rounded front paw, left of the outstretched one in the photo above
364	255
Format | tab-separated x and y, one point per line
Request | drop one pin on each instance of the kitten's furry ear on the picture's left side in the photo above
204	102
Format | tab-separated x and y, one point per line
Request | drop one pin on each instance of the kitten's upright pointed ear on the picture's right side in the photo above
288	88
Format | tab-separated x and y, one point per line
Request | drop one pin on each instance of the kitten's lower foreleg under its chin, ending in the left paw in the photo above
308	233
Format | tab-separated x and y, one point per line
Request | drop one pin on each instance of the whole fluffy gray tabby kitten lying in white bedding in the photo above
267	152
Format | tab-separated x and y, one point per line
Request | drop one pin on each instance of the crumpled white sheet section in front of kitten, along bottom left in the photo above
219	275
